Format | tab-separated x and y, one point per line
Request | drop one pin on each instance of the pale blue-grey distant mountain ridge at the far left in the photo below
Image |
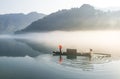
9	23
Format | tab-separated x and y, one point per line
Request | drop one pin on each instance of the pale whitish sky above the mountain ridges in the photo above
49	6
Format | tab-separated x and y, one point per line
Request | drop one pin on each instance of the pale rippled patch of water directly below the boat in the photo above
94	63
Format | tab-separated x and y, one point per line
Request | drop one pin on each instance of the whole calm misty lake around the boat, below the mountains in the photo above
29	56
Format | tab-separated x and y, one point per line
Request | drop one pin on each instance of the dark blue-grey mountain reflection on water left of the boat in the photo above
16	48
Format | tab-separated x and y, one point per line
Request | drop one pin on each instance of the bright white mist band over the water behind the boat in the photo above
99	41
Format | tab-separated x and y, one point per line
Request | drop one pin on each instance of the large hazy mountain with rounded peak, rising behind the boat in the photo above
84	18
